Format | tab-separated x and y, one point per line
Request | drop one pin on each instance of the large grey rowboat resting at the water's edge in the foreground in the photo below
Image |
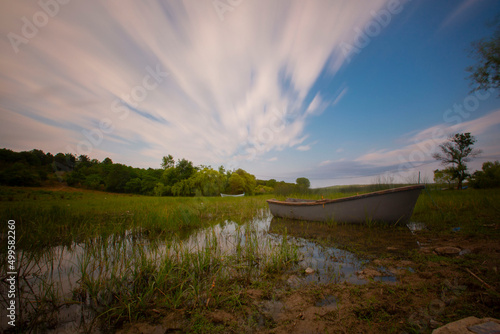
390	206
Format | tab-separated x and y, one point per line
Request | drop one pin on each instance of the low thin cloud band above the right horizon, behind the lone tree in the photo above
412	156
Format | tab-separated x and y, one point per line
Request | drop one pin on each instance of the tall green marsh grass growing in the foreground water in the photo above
122	280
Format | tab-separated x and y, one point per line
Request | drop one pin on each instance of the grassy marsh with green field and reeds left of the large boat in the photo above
120	257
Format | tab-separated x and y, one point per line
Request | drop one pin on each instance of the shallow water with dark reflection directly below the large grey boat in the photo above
325	248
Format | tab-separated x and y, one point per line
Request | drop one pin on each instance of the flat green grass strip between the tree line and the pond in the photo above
49	218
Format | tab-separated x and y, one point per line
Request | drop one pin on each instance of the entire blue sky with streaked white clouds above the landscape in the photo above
337	91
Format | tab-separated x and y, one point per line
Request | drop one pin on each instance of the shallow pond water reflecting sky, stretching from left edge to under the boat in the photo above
321	253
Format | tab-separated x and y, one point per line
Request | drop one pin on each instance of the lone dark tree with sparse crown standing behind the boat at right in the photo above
457	151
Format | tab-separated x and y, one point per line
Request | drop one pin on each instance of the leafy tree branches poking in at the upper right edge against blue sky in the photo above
486	73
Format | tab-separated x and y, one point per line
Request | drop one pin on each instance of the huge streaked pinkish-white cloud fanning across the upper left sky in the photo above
231	84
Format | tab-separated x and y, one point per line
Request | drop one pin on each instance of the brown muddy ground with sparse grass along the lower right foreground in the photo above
447	279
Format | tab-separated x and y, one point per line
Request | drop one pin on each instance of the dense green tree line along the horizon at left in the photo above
174	178
